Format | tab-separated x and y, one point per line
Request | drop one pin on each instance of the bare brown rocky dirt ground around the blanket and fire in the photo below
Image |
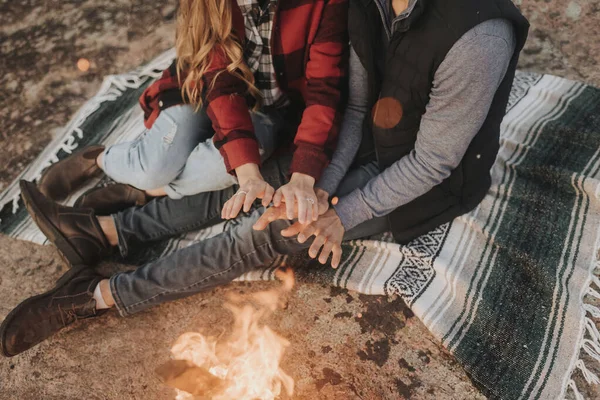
385	354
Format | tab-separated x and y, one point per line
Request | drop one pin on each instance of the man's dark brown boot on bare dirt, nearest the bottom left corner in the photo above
39	317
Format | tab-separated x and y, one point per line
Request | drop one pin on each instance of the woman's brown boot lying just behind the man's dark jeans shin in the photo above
111	199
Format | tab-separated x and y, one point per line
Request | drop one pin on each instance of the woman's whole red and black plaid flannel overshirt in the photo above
309	46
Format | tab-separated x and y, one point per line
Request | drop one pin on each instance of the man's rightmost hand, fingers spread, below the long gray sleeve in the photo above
329	233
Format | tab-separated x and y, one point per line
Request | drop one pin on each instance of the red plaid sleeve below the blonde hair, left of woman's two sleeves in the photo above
228	110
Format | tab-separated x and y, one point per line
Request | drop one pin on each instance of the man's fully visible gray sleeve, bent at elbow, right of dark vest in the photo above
463	89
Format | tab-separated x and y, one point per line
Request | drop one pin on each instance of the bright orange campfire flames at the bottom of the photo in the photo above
242	366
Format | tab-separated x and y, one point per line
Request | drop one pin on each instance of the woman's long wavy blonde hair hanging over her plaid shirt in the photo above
202	25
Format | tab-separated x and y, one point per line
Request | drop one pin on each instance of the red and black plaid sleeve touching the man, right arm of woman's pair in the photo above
326	71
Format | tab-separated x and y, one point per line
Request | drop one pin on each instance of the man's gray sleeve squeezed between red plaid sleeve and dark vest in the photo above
351	129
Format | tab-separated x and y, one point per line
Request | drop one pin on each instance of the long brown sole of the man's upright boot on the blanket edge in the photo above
66	250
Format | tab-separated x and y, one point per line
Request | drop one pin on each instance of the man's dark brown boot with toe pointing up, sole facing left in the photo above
76	232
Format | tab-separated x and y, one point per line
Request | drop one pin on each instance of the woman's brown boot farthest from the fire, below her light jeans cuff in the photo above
68	175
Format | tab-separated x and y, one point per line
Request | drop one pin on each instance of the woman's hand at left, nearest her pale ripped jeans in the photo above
252	187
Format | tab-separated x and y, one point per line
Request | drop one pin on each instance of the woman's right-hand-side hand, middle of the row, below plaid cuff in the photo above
299	191
